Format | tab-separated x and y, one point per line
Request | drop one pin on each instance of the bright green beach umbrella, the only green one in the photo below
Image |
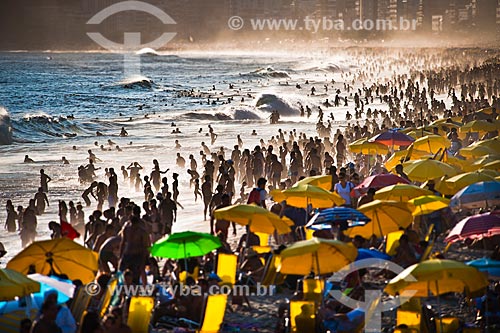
186	244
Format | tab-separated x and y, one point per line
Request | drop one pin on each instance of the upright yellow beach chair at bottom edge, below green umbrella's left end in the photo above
139	313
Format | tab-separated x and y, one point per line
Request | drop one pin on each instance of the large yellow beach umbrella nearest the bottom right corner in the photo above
438	276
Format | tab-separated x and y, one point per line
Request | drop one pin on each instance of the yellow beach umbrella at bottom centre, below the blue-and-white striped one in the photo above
316	255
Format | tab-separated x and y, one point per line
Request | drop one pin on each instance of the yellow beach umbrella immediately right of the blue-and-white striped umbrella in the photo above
386	217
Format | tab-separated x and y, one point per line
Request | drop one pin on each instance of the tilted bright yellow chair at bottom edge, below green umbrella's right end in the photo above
212	317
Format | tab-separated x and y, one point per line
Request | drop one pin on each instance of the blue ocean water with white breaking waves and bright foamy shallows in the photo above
59	100
